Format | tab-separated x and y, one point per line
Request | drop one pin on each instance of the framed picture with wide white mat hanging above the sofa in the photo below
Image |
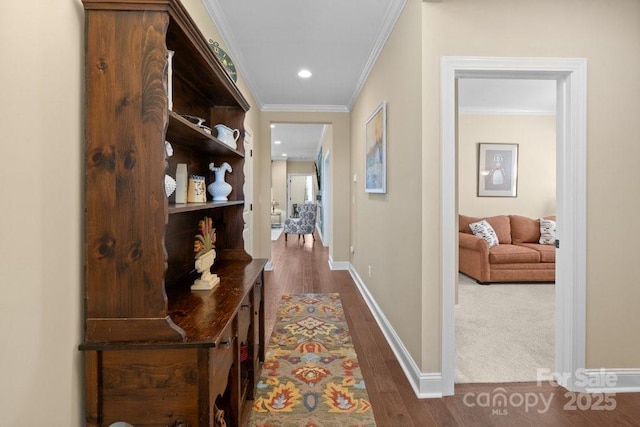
497	170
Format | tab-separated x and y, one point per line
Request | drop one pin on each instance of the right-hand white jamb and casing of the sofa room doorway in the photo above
571	207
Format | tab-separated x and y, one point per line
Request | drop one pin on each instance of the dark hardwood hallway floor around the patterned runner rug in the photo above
304	267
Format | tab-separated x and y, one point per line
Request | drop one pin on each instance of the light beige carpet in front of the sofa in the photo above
504	332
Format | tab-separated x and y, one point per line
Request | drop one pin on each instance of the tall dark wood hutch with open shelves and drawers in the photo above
157	353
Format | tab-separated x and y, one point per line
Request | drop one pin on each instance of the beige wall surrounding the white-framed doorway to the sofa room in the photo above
607	35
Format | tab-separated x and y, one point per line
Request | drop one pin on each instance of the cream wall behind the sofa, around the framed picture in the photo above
536	139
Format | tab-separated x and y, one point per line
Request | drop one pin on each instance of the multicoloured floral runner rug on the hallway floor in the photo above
311	376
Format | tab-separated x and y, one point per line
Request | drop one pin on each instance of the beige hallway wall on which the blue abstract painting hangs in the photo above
386	228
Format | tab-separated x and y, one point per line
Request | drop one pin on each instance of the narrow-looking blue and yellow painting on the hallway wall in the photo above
375	169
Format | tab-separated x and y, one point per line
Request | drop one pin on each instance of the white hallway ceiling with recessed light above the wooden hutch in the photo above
337	40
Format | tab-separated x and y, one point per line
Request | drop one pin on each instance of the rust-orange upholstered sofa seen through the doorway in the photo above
519	257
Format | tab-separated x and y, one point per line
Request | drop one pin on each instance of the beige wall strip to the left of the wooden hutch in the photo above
41	220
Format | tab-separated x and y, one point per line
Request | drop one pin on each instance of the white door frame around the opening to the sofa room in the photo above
571	191
